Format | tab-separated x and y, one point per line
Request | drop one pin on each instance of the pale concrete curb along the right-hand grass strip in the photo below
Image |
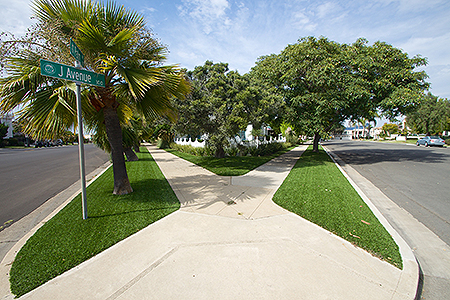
409	280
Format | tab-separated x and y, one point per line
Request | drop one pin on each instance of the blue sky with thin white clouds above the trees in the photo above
238	32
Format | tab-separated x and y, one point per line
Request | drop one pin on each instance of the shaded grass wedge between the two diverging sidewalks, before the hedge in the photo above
230	165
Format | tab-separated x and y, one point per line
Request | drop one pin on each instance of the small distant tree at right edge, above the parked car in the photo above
431	115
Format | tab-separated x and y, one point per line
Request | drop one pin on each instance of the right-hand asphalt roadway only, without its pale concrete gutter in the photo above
416	178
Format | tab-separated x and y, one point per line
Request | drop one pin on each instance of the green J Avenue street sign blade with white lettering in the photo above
56	70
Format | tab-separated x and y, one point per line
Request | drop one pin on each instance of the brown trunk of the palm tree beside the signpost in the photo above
114	132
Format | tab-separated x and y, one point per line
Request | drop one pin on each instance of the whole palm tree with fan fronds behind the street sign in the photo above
115	42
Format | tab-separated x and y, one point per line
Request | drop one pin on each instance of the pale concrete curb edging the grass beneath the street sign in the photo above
7	261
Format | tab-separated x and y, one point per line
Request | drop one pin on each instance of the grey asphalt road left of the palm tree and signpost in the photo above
29	177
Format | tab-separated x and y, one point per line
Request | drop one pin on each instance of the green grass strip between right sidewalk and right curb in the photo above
316	190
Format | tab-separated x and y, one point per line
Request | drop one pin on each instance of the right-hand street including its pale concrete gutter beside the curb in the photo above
417	180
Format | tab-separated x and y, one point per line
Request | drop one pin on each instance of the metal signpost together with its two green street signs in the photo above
79	76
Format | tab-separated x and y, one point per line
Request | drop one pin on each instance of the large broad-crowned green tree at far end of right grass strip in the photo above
324	83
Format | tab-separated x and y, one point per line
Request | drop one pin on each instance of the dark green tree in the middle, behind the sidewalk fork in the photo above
222	103
